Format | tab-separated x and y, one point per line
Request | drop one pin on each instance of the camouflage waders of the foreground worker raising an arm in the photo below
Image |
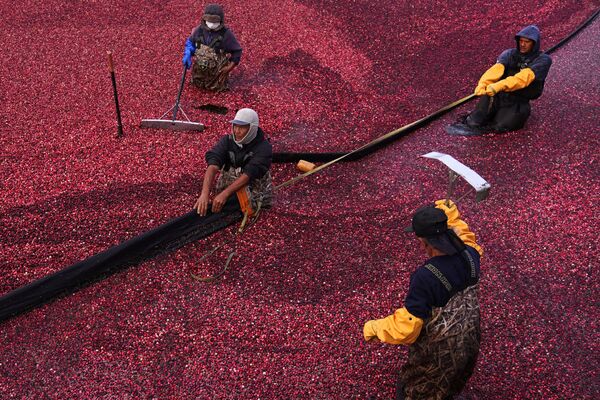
443	358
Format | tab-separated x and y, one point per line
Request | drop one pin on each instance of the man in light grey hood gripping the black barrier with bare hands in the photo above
243	158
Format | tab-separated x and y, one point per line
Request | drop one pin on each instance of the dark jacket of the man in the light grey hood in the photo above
254	158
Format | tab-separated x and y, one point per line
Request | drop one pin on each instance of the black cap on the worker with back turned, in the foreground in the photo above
432	224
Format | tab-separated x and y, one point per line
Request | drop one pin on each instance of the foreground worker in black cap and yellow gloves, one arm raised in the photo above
440	318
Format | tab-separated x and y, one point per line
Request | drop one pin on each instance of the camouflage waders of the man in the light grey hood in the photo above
254	196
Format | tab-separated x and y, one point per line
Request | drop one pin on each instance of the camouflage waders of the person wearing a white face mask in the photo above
208	62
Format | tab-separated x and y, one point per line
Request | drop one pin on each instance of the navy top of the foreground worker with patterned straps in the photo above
427	290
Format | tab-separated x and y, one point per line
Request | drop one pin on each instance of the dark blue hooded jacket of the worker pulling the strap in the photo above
537	61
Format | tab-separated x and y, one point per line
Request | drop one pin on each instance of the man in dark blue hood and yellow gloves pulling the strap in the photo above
507	87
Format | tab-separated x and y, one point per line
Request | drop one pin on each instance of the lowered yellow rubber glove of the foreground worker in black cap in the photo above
399	328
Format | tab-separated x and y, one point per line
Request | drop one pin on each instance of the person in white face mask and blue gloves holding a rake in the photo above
215	49
